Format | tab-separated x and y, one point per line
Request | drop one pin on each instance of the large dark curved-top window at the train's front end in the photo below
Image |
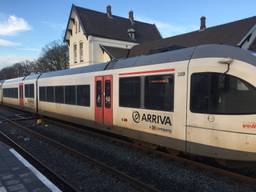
217	93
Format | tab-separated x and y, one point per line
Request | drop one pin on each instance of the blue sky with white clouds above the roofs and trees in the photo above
26	26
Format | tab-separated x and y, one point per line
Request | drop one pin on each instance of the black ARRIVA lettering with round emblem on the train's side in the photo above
151	118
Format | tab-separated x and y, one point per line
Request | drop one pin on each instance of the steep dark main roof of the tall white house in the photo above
100	25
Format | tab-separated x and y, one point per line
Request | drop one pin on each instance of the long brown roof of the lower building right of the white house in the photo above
229	34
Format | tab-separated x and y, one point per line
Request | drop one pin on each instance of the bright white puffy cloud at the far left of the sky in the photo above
13	25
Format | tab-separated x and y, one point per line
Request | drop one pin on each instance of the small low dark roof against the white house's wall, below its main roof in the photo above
115	52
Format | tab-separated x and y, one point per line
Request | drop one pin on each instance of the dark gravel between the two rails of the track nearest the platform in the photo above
83	175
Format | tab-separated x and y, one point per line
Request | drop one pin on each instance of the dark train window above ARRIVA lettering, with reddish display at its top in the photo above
159	92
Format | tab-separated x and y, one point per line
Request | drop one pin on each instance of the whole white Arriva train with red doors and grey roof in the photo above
199	100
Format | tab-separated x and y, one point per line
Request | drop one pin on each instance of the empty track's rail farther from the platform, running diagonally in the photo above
133	181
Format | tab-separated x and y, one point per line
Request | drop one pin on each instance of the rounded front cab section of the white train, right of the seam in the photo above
221	121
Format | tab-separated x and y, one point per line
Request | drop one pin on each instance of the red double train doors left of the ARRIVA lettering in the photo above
104	100
